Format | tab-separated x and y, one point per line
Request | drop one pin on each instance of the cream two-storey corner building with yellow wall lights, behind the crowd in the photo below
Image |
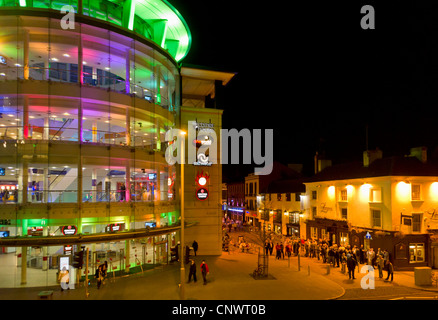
387	203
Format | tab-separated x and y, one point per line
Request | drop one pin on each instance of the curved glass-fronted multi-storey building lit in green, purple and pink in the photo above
83	115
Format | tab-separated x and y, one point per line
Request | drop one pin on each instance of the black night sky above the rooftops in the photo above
311	73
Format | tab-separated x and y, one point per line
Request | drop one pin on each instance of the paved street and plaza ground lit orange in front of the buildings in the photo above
230	278
